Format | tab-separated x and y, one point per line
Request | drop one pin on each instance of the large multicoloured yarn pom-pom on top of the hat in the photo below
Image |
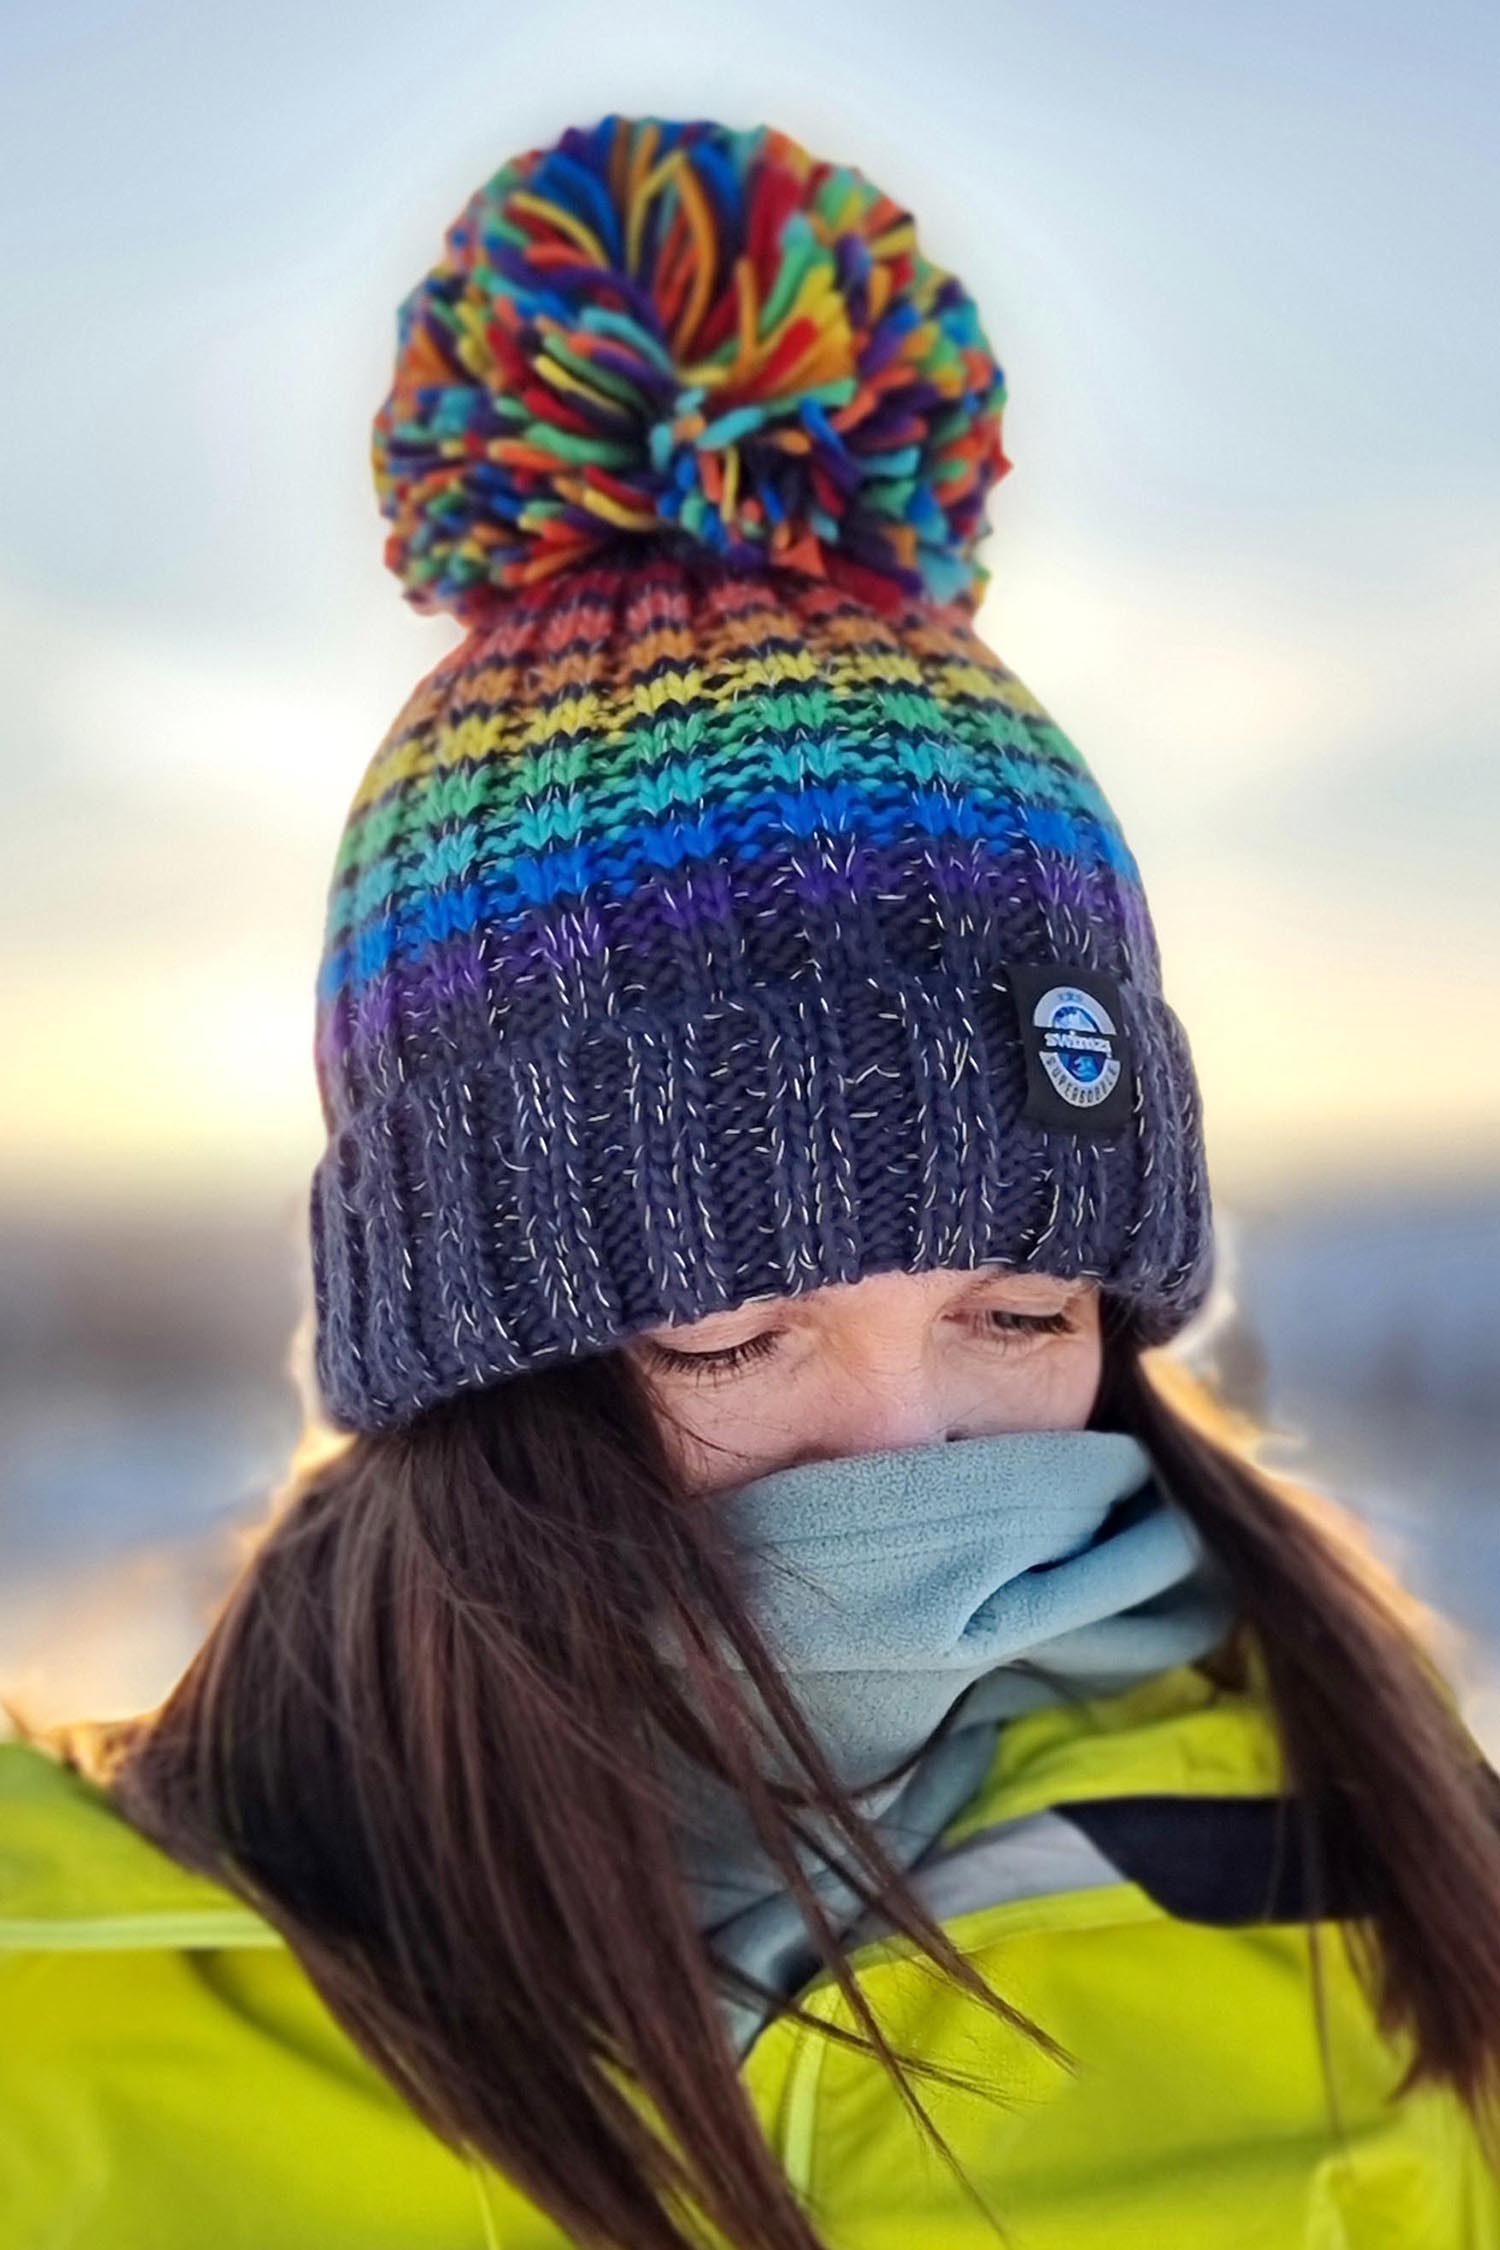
696	339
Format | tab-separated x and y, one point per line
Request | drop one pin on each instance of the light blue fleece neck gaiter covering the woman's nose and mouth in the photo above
894	1585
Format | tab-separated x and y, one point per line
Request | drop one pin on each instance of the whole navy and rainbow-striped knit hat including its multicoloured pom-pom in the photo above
721	919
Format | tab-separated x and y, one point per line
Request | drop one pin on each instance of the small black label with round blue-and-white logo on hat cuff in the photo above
1081	1070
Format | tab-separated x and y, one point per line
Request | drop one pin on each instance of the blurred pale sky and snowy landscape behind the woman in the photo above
1240	271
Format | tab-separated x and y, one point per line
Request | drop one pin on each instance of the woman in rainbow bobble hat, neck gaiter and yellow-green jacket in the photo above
777	1716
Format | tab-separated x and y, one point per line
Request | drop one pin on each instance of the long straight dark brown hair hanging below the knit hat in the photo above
422	1740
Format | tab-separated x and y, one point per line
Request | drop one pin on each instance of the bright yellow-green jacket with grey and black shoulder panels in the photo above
170	2080
